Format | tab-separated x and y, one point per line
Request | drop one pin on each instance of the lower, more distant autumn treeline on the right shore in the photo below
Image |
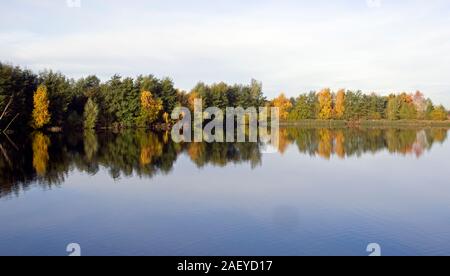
354	106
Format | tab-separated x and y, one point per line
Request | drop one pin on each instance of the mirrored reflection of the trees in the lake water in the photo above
47	158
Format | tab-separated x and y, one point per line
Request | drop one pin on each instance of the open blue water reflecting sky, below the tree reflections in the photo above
291	203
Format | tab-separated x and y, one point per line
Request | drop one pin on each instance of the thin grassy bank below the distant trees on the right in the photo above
367	123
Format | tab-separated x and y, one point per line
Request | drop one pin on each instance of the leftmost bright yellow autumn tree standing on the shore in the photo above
41	115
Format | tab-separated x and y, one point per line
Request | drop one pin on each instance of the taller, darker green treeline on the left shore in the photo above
50	99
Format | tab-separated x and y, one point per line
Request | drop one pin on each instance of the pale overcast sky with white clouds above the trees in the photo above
291	46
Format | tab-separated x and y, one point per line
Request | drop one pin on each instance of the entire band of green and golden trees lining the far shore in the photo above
51	100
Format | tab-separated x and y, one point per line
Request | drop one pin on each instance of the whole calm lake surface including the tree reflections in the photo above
323	192
